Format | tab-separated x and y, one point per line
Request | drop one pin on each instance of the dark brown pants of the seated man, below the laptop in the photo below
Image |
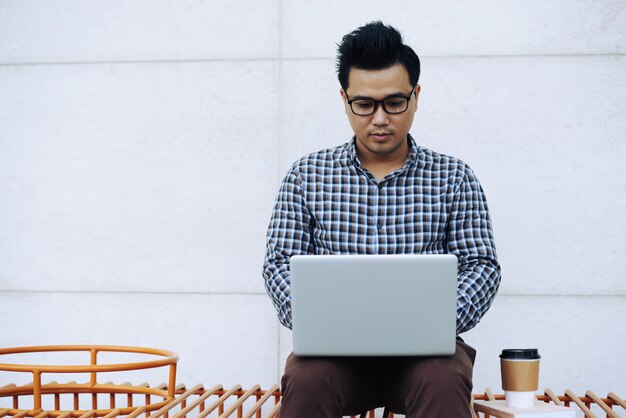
418	387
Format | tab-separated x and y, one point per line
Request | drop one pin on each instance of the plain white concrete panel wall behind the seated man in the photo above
142	144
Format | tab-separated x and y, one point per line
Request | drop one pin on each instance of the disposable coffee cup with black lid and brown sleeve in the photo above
520	376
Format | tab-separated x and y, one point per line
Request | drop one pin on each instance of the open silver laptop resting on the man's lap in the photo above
374	305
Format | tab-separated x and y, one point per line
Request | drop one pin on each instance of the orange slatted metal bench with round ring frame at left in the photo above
178	401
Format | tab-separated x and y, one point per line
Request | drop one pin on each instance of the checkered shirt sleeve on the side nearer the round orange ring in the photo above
288	234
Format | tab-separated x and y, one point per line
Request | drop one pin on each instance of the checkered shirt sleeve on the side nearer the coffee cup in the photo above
470	238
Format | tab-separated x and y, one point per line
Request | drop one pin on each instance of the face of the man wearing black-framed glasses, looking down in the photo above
381	136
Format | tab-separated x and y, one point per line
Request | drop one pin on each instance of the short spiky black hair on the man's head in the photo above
375	46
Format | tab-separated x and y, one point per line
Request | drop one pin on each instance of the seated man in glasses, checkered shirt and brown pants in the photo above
380	193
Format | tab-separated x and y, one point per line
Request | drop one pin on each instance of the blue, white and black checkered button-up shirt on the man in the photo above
329	204
